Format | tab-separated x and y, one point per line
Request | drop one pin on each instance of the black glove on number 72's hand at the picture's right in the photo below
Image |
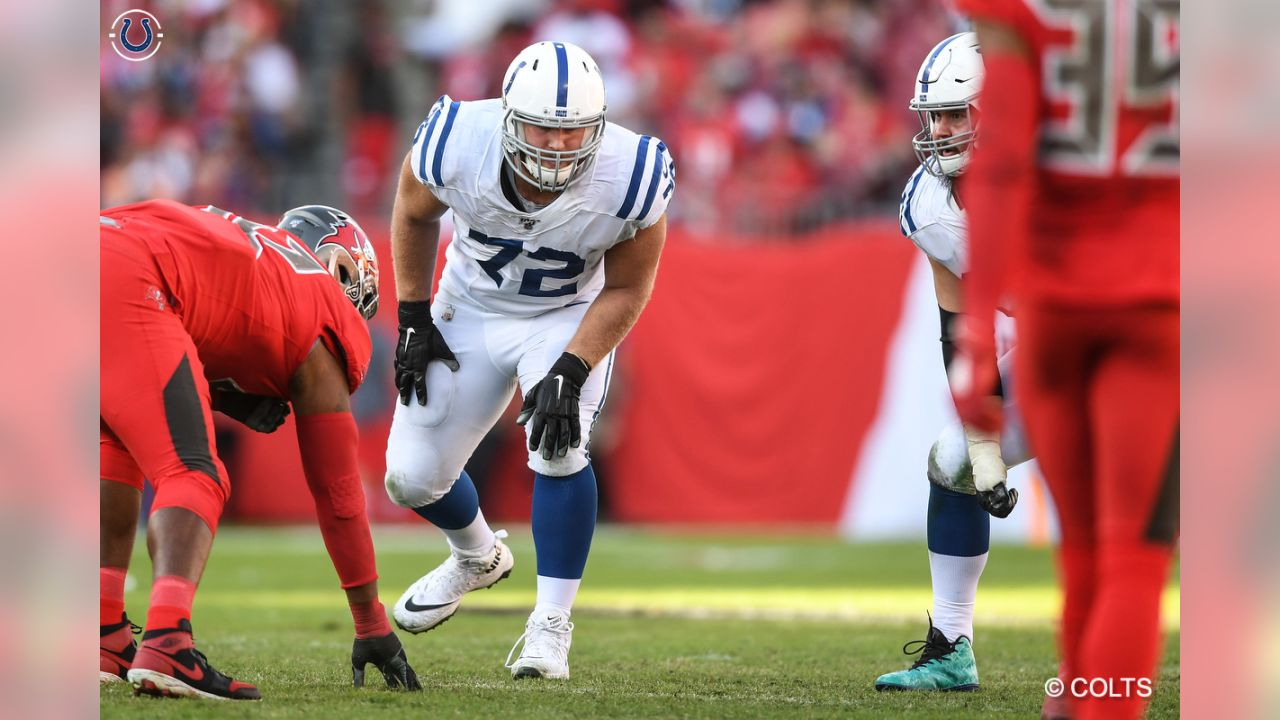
552	405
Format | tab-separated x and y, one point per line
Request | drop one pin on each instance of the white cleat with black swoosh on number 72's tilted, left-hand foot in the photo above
435	598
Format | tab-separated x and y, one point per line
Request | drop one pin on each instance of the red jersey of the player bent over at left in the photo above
253	298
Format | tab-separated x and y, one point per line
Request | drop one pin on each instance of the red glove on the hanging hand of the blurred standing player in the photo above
975	376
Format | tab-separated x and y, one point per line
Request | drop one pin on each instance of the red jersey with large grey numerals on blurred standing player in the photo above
1104	220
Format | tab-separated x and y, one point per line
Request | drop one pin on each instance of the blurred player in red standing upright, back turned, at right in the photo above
1075	220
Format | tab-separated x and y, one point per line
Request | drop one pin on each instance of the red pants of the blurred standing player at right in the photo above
1100	397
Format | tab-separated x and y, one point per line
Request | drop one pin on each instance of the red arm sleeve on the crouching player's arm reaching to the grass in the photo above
328	444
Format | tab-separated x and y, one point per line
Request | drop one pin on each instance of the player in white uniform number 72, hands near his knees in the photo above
559	224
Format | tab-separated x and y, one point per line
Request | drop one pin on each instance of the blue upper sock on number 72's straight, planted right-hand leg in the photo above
564	518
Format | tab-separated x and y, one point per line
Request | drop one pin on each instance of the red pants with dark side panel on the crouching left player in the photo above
157	420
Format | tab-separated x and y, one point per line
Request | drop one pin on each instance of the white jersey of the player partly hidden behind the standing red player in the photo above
932	220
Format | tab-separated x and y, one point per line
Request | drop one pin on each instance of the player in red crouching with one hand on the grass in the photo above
205	311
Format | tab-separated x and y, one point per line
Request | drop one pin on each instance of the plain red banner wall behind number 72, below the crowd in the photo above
743	395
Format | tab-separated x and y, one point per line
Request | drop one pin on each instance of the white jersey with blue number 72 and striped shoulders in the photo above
523	265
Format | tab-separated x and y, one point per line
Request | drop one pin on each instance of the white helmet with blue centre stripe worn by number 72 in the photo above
552	85
